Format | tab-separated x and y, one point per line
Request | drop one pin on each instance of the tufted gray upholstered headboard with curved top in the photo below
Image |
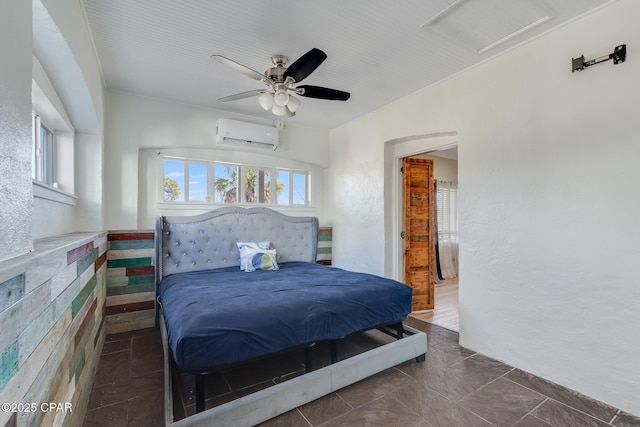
208	240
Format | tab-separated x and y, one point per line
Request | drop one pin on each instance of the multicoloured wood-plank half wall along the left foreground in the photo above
52	304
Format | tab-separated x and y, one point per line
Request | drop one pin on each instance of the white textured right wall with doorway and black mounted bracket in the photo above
548	207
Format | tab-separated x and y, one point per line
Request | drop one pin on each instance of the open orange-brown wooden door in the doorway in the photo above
418	229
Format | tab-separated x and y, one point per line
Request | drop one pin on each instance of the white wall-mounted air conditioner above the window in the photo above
246	135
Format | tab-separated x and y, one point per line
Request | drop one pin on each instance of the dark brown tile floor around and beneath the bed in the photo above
453	387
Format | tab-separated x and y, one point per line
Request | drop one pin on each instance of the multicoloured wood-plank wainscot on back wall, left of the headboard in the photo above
130	281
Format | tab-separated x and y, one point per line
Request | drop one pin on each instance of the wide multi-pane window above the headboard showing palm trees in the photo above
190	181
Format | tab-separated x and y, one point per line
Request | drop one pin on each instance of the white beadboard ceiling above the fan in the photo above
378	50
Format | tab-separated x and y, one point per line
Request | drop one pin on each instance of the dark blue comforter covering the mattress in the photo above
218	317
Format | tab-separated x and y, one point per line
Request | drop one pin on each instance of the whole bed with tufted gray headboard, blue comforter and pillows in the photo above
214	315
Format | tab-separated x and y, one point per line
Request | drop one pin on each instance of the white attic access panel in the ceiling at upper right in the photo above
480	25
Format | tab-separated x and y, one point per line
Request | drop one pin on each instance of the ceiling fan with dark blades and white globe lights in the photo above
281	79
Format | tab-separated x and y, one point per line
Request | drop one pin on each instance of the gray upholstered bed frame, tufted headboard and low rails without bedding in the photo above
206	241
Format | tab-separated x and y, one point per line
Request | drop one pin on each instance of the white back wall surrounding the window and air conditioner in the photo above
135	124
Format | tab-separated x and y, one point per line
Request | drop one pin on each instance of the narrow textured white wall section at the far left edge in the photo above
15	129
